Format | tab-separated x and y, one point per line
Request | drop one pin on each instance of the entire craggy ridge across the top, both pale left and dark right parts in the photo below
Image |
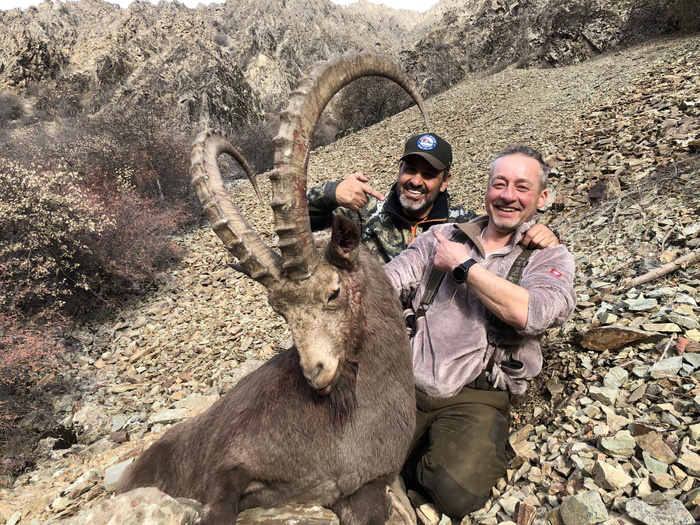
235	63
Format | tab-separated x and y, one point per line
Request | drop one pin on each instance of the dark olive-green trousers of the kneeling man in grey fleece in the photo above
459	448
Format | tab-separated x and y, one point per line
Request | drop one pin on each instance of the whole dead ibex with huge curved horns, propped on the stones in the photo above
329	421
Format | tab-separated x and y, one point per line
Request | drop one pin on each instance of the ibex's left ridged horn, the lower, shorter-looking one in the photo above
260	261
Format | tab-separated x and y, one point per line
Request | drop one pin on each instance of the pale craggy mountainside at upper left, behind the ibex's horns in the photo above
217	64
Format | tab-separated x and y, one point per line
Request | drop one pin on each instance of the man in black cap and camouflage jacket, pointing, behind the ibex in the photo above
417	201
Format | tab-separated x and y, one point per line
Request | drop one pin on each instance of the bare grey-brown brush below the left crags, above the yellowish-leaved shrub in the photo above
136	145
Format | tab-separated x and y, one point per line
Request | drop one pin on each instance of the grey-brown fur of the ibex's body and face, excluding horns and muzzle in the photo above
273	438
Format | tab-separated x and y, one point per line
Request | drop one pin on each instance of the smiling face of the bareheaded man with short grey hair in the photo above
513	194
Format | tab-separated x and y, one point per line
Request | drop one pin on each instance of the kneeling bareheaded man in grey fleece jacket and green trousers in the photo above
465	366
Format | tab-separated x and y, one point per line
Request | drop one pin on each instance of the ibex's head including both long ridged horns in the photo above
316	283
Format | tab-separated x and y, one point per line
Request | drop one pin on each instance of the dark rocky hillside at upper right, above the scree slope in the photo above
474	36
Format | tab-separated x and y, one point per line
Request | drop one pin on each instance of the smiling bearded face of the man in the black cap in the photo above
419	185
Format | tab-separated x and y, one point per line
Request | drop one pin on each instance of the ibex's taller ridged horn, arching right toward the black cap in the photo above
297	125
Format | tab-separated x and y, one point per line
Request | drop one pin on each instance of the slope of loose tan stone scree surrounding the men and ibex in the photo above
609	431
